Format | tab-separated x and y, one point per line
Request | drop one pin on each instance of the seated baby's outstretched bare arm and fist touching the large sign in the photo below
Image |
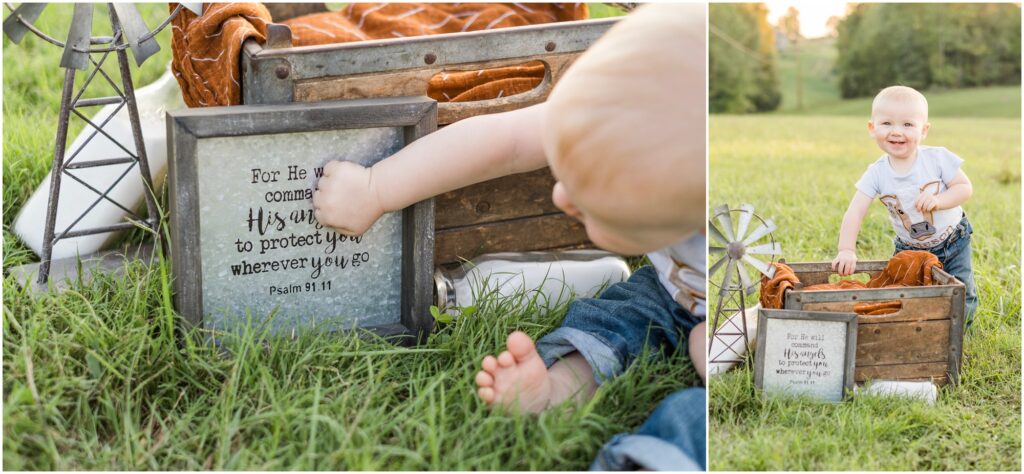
351	198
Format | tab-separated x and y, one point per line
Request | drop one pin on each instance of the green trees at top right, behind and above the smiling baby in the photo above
928	46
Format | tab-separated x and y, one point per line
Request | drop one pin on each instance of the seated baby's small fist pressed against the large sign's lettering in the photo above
346	199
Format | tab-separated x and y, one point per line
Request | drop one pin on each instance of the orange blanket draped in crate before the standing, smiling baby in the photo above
908	269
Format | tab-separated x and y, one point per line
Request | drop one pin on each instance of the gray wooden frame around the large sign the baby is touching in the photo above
417	117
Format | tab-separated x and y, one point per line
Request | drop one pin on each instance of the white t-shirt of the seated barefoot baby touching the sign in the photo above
682	270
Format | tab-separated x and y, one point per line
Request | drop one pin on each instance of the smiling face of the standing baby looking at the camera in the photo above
899	127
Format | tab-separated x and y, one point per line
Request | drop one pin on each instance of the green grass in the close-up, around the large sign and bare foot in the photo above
106	377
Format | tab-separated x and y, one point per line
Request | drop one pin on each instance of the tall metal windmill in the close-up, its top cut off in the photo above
129	32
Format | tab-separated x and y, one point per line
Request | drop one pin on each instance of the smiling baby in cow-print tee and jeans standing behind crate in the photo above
922	187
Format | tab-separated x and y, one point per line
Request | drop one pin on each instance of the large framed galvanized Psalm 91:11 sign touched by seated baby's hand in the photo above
246	247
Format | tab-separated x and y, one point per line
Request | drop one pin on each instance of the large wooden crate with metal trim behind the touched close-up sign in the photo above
514	213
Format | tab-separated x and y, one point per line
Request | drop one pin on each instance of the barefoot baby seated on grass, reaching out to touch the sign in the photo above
624	134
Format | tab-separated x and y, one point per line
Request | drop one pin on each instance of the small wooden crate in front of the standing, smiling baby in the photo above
922	341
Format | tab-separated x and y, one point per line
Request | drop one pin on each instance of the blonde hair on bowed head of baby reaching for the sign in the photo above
629	118
